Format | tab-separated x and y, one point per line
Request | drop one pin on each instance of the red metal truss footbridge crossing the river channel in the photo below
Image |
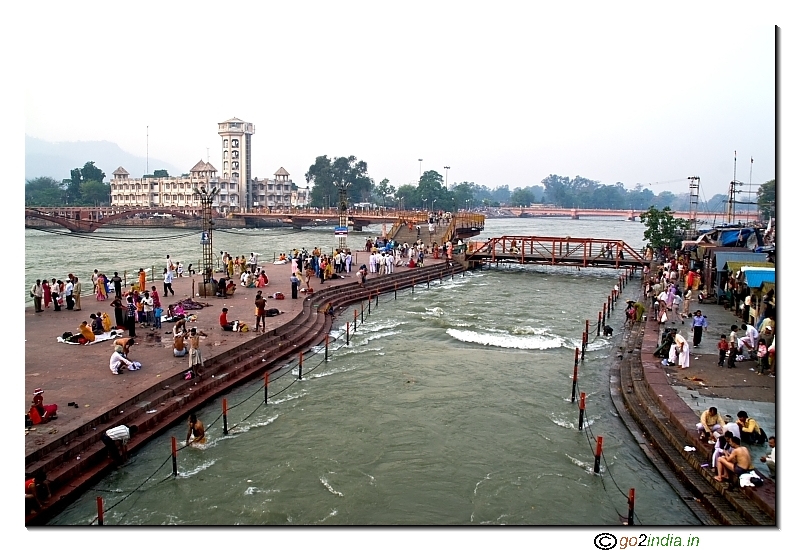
568	251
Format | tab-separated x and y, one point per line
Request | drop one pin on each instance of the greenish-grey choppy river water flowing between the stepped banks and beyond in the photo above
450	406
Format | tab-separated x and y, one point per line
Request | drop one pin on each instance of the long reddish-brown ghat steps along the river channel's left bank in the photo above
175	397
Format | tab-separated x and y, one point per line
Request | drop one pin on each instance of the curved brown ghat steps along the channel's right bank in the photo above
645	406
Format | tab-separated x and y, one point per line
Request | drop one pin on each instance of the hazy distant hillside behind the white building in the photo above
43	158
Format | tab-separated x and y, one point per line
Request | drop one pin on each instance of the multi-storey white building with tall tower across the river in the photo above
238	190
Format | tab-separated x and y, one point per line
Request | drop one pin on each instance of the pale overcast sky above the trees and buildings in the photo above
503	93
